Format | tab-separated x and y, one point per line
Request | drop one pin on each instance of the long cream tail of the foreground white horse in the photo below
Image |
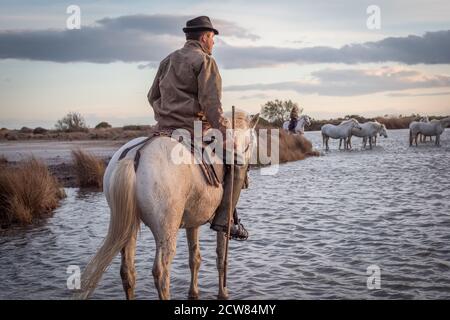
123	224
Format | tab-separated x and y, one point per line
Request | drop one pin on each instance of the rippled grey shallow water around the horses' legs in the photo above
314	228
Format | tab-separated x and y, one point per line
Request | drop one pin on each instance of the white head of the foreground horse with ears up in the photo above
244	135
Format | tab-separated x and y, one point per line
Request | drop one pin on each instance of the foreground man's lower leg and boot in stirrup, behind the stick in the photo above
220	221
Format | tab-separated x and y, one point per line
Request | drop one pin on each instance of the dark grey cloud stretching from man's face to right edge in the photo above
431	48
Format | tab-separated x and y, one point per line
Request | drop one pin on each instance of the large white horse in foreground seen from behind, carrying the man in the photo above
166	196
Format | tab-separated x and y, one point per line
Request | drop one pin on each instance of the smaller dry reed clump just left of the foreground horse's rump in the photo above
89	169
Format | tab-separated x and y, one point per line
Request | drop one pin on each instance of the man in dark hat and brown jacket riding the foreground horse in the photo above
188	88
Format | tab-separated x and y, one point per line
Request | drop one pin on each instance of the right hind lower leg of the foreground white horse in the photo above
165	251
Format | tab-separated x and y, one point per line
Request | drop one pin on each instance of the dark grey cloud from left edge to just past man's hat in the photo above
133	38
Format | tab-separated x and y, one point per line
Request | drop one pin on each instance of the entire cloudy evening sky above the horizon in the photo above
322	55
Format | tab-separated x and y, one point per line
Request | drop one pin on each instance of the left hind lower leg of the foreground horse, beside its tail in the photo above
127	268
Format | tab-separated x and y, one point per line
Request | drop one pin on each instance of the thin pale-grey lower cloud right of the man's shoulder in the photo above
349	82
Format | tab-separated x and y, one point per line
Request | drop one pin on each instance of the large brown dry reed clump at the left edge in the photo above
27	191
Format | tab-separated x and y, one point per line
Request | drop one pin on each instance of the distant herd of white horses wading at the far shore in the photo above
369	131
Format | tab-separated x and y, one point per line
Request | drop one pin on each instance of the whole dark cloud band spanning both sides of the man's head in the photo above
149	38
